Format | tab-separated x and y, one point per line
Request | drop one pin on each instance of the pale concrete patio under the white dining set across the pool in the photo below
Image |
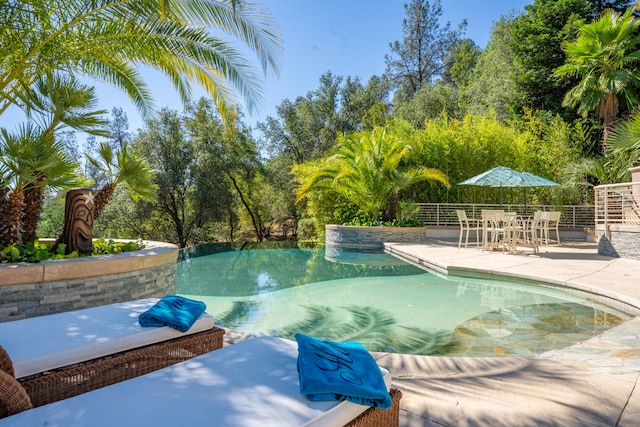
575	265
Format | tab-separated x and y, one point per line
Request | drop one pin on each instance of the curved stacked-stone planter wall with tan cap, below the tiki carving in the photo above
31	290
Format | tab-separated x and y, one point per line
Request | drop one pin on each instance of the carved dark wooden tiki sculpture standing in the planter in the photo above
78	221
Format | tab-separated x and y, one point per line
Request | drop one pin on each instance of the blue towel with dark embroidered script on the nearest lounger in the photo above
340	371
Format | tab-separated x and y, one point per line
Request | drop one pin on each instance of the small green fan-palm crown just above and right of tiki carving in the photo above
124	167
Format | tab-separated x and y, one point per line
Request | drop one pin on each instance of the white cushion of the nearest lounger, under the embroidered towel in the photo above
250	384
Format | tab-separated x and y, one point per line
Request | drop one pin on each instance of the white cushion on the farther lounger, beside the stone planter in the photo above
48	342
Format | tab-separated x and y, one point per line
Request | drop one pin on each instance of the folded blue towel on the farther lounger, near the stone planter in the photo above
174	311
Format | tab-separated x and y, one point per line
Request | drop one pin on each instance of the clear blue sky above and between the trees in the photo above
347	37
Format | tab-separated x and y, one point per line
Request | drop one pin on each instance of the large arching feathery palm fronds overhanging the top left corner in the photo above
110	40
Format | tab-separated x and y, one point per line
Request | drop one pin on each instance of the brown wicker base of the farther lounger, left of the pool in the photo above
69	381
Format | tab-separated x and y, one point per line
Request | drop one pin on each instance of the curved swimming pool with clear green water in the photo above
384	303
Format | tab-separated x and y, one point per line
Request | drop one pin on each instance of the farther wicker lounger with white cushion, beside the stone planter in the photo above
62	355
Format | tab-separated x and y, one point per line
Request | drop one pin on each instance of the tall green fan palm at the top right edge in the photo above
605	58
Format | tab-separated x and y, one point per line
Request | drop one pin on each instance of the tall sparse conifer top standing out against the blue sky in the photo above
420	58
